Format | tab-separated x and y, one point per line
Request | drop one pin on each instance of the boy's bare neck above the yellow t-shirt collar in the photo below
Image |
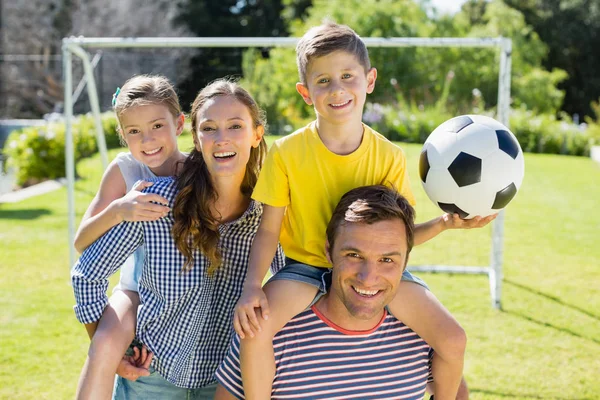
341	139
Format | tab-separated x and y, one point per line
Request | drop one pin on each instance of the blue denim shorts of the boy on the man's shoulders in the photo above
320	277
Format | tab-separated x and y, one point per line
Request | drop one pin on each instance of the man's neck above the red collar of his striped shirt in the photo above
337	314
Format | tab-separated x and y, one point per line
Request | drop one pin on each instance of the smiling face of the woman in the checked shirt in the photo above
225	136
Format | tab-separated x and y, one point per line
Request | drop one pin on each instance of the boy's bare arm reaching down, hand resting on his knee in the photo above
262	253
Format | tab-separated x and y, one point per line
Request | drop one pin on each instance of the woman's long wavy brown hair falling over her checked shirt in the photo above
195	226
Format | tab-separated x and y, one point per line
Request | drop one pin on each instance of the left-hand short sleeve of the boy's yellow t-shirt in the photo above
273	187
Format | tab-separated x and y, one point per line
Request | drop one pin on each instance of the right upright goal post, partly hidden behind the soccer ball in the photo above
496	258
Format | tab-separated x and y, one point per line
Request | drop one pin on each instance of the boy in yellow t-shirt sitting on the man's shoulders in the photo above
303	178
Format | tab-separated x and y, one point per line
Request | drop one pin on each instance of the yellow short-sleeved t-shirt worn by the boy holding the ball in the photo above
302	174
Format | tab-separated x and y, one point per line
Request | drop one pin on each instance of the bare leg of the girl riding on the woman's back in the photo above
116	330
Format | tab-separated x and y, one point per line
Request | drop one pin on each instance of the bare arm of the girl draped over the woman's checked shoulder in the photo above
112	205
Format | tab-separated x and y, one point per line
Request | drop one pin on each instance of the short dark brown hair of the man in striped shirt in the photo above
370	204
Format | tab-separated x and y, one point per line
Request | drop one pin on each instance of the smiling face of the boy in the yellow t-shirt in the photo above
337	86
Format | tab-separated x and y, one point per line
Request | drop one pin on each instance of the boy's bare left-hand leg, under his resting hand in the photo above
286	300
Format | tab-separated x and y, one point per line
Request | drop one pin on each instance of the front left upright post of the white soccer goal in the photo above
69	152
